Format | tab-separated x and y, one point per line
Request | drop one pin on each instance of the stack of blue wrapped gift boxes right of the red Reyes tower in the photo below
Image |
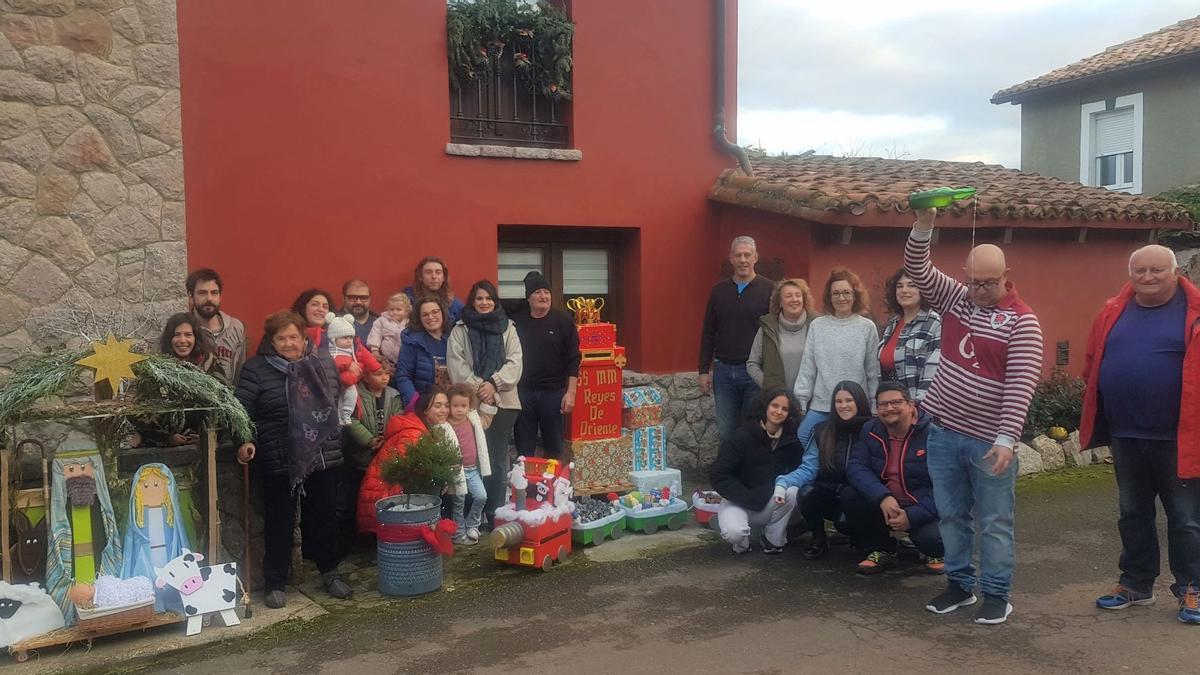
643	420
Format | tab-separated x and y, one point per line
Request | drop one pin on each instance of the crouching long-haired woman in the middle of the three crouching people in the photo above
820	500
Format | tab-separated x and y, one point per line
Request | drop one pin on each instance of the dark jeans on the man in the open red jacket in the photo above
1145	470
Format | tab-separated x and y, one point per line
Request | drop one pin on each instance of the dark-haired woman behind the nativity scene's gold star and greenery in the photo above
183	339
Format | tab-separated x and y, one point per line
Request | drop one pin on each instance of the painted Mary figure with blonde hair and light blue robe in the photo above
155	534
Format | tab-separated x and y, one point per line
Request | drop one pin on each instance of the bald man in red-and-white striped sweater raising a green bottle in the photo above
991	363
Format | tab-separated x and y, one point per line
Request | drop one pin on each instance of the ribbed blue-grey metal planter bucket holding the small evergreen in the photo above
409	569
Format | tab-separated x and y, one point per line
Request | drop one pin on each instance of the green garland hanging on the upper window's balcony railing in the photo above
479	32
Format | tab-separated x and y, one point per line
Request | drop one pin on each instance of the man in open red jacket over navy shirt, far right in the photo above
1143	399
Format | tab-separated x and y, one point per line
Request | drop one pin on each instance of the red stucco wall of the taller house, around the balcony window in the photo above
315	139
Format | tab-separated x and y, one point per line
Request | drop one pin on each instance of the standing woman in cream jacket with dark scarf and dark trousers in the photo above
485	353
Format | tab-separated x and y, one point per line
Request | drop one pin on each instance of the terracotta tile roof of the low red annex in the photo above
836	190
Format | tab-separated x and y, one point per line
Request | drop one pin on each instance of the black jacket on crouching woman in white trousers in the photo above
746	468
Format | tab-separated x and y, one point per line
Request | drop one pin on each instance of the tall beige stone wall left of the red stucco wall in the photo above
92	174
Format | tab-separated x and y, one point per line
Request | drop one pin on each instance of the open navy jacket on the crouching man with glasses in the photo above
869	458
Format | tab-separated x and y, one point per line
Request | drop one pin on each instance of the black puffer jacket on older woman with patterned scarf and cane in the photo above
263	392
